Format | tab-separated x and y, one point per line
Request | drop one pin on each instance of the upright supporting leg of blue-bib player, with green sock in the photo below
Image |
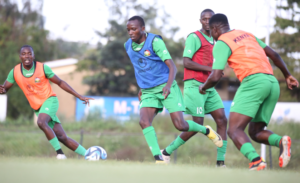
146	117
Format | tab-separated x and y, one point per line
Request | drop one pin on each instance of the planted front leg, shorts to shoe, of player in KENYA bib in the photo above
245	106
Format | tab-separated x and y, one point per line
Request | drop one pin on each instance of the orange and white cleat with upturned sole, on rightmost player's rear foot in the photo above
285	151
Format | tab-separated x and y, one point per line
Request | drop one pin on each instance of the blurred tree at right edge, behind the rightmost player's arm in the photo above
285	40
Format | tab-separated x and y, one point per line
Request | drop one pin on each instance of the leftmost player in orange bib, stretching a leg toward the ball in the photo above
33	78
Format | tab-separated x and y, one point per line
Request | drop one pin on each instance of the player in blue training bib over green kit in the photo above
155	72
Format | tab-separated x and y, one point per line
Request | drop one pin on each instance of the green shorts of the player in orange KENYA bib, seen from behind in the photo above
257	97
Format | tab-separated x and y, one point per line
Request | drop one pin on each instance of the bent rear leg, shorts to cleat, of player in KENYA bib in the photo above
257	127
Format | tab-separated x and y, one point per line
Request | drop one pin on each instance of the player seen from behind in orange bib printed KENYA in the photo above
256	98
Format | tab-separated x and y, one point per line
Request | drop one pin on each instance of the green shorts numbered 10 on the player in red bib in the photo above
197	104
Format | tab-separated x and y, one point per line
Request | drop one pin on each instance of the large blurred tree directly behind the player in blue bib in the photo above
114	73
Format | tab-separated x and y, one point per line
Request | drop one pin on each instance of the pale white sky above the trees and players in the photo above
77	20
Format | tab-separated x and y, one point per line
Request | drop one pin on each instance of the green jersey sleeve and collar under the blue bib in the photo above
159	48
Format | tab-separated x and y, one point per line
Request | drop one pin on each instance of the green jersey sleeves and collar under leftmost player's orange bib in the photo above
28	73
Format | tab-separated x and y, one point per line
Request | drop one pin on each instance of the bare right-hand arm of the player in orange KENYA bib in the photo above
290	80
